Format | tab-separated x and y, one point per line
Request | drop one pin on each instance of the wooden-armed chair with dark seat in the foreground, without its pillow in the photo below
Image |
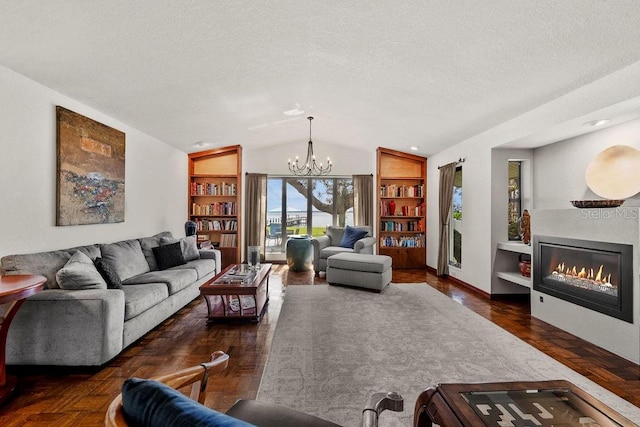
261	414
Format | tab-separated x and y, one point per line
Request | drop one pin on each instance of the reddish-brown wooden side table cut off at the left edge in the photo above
13	291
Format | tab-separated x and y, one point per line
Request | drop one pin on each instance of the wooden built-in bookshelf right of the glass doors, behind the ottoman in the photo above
402	207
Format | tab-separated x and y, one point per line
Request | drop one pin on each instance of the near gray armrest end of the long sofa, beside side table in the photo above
67	327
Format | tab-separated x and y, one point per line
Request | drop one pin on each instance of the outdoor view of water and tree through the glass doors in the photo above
306	206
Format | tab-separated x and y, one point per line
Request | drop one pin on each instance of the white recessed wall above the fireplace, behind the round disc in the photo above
559	168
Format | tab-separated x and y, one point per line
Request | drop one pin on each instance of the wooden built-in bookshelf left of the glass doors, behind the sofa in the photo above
215	183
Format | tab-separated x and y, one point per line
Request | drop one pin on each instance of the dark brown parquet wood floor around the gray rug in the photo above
79	397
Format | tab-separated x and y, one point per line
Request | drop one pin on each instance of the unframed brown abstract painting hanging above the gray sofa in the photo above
90	181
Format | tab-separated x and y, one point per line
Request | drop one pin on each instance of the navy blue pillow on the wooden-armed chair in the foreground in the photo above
152	403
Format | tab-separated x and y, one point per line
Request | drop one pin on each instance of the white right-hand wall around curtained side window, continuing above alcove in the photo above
477	245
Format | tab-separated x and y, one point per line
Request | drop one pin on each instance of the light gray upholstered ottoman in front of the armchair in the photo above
359	270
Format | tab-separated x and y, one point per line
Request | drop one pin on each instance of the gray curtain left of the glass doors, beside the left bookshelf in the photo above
256	212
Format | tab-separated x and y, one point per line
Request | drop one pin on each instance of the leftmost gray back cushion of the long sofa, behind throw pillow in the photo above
45	264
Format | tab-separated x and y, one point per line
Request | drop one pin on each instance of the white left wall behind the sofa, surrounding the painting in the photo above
155	186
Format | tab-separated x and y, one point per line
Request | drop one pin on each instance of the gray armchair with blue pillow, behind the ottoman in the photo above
329	244
